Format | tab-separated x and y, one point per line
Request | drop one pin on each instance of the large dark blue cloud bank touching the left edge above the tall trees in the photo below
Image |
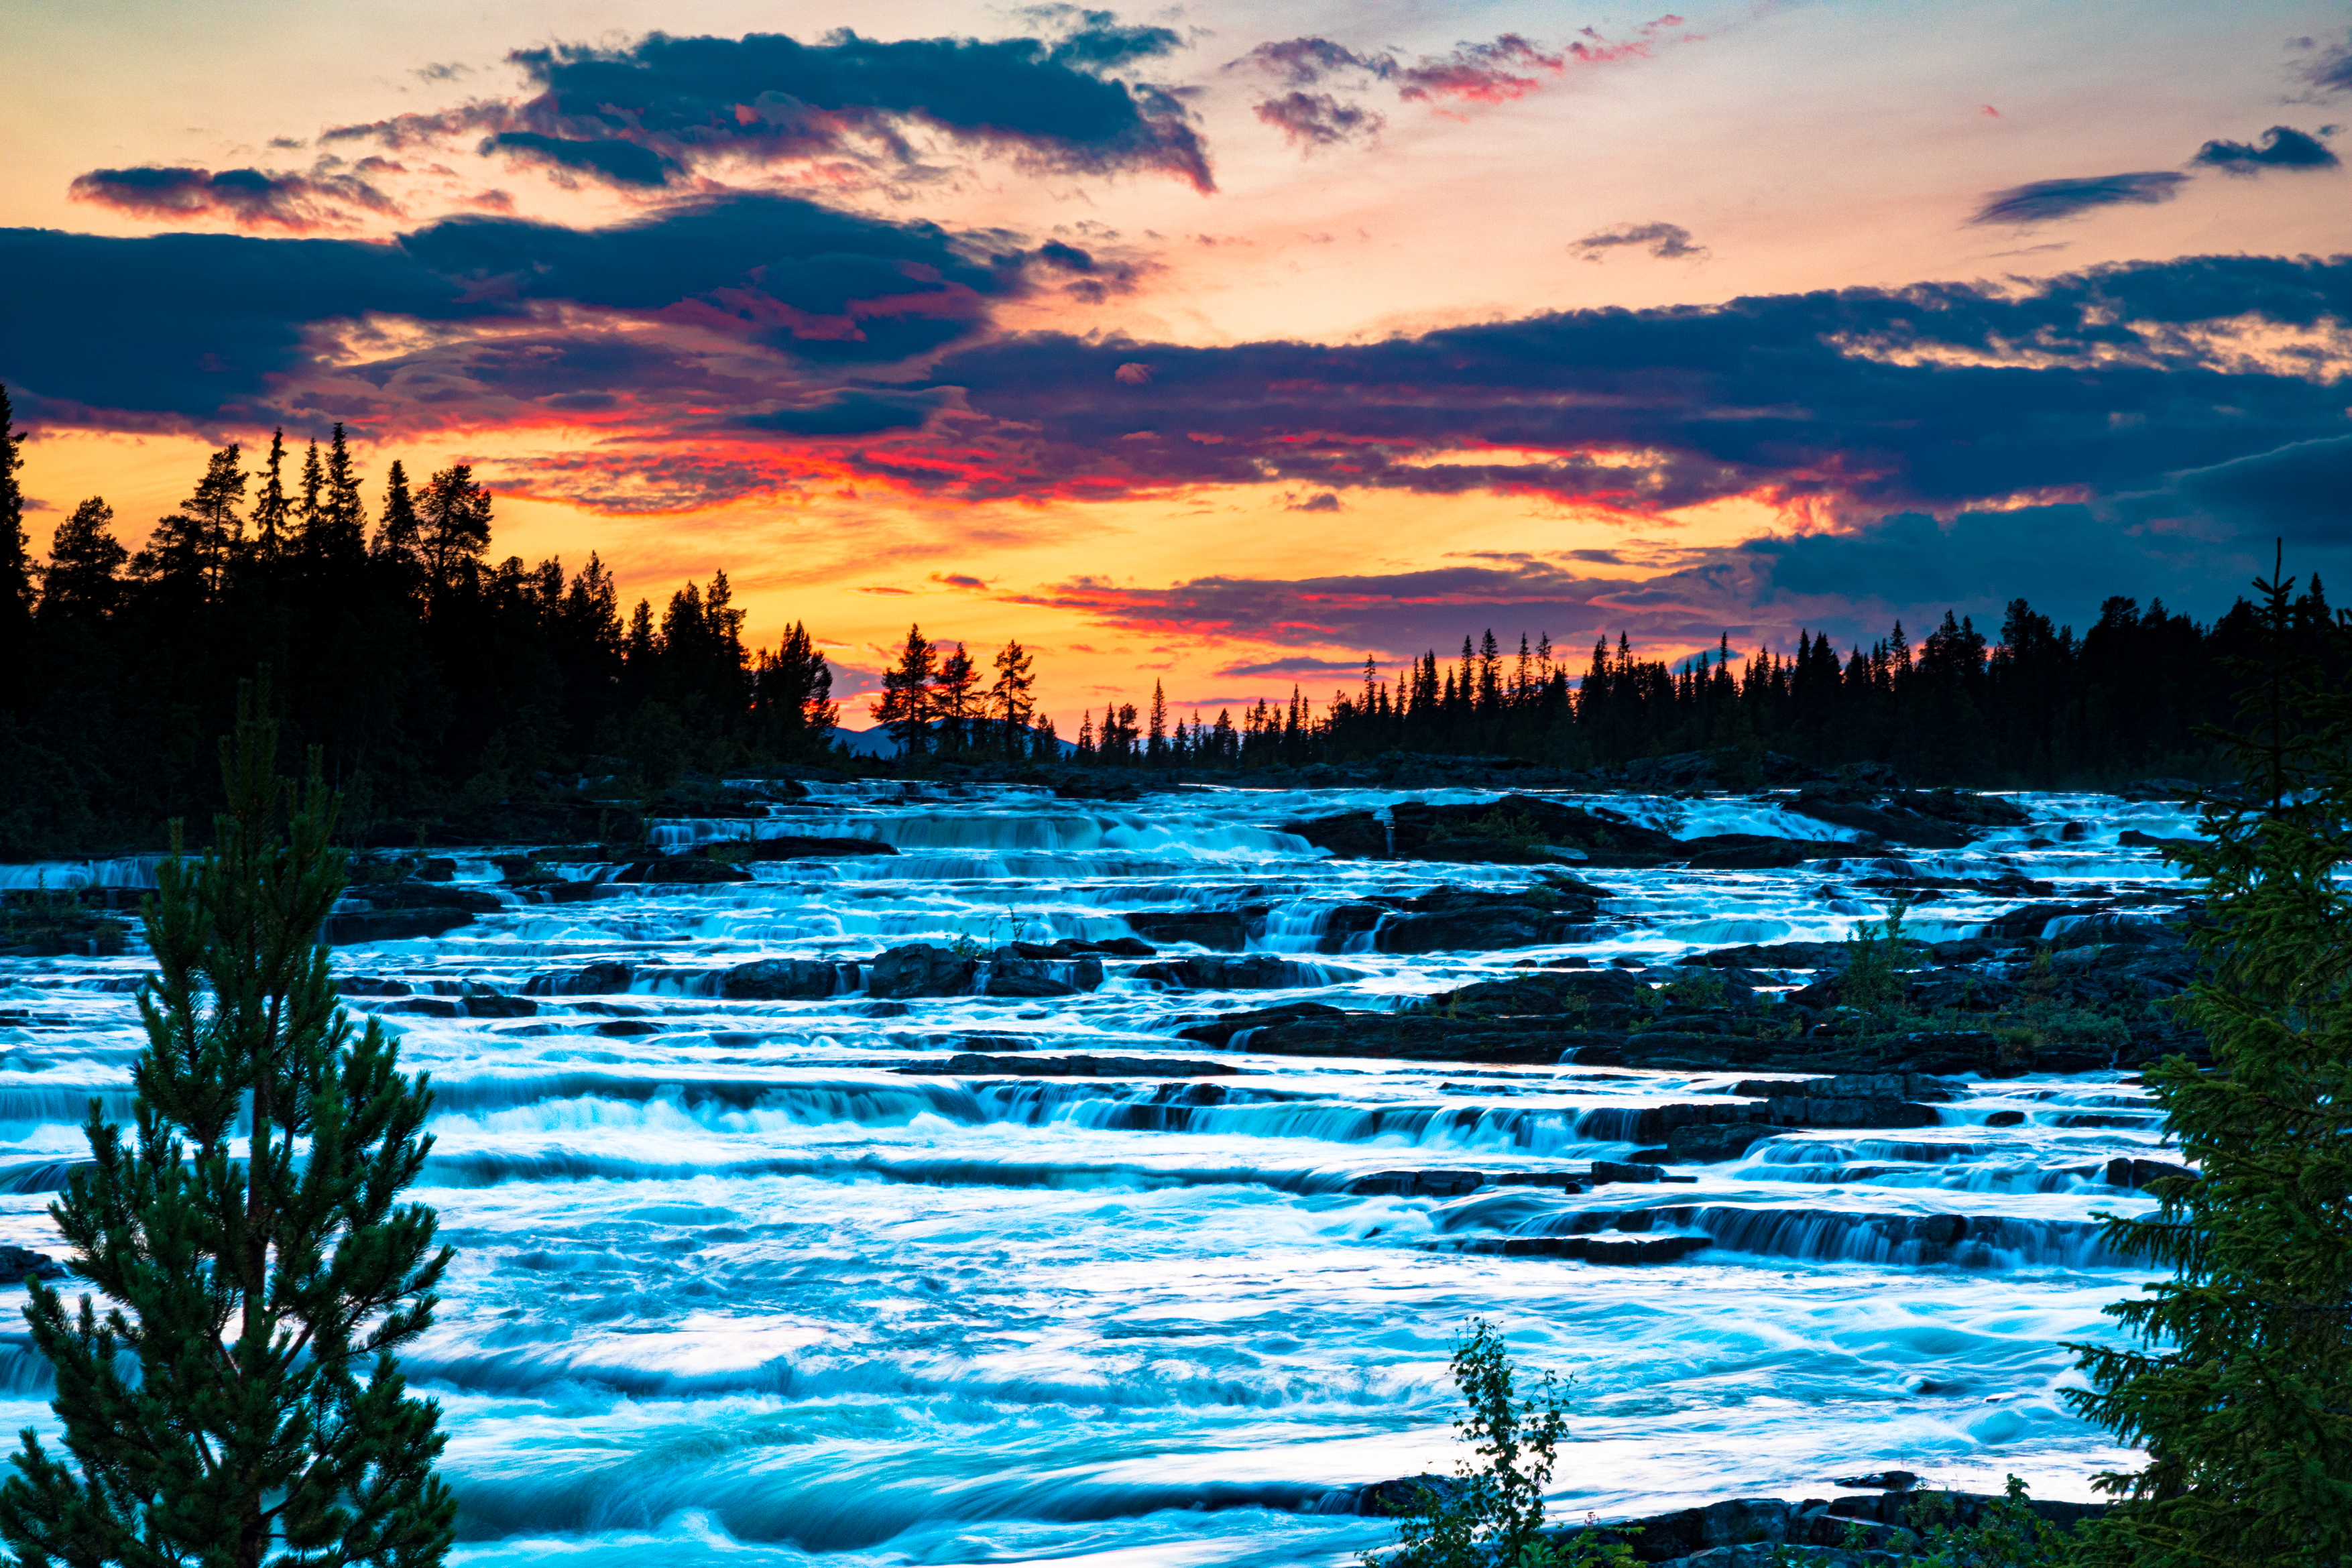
199	326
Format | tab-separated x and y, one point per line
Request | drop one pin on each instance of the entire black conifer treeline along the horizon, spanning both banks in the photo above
446	683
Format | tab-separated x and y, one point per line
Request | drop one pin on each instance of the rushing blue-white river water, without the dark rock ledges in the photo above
733	1287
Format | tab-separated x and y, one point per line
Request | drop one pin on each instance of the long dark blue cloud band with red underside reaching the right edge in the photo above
1859	401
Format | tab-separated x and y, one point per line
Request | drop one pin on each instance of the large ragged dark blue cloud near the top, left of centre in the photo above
683	102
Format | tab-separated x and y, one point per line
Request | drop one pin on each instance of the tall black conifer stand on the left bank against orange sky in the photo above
432	676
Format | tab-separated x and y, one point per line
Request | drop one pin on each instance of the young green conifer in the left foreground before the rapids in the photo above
260	1296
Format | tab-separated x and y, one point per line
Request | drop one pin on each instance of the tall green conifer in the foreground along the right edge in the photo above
2240	1381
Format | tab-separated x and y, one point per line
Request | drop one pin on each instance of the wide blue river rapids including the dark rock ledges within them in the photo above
951	1174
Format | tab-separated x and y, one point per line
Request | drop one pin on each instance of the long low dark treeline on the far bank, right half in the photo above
2038	706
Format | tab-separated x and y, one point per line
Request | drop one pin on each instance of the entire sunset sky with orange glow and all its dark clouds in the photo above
1224	344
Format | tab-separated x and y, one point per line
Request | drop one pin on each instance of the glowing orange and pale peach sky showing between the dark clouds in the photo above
1798	149
